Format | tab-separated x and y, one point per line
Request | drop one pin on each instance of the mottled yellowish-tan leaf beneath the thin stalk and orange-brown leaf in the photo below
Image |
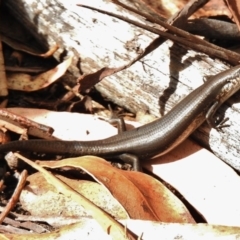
42	199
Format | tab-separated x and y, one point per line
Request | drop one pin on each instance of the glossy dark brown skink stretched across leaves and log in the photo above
155	138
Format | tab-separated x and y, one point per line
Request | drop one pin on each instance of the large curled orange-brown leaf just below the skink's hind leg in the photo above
128	189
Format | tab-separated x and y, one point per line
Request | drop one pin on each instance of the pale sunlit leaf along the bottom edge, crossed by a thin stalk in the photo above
88	229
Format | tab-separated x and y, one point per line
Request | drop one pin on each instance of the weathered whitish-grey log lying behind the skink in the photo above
156	83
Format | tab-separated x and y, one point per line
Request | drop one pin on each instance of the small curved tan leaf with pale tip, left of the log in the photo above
24	82
